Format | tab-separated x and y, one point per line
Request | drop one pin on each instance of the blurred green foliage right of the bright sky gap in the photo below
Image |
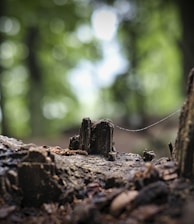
153	81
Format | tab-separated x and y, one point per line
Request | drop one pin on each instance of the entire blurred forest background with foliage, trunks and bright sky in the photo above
64	60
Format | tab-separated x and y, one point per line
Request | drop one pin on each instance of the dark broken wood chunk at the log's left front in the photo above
35	178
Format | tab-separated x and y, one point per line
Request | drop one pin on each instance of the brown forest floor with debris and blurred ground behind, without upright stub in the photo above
42	183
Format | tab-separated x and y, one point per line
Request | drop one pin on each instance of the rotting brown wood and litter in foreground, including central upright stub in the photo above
41	184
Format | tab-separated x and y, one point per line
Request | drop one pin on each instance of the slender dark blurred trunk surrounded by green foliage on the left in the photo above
35	84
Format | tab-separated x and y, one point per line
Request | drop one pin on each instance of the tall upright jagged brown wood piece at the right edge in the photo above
184	145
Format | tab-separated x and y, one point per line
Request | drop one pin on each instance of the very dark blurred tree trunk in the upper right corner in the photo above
186	9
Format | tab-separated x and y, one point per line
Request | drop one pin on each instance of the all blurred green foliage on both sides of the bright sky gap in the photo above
147	33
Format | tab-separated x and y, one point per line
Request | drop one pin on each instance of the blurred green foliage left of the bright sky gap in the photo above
59	49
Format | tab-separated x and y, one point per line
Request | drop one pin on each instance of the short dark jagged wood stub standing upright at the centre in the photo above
94	137
